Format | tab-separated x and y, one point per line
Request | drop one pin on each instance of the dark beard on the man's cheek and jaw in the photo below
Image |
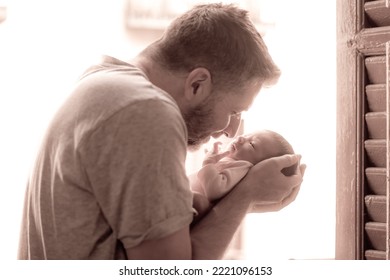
199	122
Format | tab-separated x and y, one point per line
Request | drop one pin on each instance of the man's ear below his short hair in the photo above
198	85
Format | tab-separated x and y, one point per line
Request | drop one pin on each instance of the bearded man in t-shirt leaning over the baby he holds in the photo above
110	182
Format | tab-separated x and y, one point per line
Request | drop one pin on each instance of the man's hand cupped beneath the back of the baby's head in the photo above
270	189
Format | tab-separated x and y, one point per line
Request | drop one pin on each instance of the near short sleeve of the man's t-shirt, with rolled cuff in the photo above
138	174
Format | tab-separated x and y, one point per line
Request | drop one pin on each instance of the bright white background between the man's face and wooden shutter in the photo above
302	107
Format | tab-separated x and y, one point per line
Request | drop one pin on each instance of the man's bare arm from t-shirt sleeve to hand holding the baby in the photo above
209	238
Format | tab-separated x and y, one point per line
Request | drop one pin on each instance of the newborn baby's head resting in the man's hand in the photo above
259	146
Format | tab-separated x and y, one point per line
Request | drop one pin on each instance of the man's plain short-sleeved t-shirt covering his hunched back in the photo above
111	170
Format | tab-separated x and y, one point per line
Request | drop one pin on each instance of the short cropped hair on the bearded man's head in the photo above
220	38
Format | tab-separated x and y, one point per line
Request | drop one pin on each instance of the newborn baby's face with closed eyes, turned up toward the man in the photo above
254	148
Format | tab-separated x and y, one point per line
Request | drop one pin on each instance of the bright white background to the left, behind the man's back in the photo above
44	46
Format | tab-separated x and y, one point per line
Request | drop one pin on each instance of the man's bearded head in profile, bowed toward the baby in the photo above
215	63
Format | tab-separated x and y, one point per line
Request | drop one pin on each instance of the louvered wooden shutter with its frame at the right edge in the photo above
363	204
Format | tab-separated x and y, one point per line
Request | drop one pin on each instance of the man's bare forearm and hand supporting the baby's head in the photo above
264	184
